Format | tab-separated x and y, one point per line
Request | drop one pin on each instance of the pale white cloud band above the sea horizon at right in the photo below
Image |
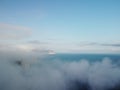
94	47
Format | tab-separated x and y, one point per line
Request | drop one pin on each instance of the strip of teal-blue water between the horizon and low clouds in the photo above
89	57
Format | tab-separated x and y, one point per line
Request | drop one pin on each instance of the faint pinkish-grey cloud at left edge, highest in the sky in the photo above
13	32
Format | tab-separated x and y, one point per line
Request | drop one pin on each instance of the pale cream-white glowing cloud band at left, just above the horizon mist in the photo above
29	47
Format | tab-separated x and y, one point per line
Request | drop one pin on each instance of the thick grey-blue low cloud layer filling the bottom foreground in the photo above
56	74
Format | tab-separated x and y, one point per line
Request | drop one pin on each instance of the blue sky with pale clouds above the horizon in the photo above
65	26
